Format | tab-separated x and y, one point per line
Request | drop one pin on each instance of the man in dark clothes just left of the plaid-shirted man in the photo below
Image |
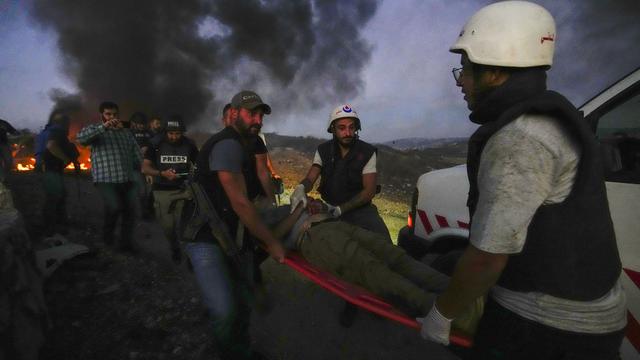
58	153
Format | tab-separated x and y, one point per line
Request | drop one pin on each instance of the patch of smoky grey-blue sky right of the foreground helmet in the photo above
604	34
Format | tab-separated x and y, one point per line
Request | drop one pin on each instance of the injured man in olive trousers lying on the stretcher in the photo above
363	258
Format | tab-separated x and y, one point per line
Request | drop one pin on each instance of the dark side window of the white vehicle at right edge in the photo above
619	133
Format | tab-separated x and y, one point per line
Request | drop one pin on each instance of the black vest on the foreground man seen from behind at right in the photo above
570	250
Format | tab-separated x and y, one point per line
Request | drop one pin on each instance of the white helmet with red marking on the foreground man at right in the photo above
509	33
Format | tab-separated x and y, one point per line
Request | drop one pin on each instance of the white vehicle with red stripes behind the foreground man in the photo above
438	224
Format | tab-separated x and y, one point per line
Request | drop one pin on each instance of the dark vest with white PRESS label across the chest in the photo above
172	156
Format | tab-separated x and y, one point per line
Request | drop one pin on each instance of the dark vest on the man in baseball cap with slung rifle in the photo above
210	182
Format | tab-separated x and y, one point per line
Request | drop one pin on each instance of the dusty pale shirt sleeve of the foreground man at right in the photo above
528	163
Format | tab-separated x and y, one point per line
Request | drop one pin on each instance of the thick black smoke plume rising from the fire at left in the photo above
190	56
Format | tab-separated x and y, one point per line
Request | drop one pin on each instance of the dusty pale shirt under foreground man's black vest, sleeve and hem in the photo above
528	163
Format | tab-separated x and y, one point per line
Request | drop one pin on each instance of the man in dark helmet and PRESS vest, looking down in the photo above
169	162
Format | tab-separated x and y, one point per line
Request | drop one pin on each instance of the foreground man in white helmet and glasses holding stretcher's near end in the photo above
542	244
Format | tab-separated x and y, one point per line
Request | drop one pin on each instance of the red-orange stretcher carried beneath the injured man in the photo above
361	297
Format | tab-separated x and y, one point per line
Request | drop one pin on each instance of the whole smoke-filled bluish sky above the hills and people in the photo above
388	59
